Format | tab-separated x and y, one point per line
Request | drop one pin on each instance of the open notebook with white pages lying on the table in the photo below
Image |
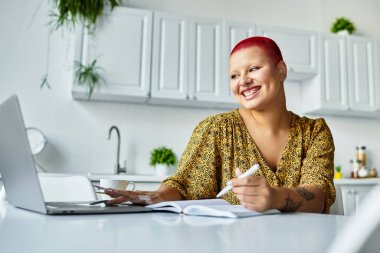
208	207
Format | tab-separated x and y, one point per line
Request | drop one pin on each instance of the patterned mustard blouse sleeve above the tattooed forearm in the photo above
318	165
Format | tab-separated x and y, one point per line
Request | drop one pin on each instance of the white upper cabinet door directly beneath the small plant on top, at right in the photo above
333	71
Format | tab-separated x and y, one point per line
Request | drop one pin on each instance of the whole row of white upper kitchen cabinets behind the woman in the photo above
172	59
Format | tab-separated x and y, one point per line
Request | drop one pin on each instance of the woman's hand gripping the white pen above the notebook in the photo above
254	192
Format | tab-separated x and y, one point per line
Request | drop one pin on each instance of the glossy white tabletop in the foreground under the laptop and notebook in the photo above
25	231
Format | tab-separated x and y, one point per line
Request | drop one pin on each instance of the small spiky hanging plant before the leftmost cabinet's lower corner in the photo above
88	75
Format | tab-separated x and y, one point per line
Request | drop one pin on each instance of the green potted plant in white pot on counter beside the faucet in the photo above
162	158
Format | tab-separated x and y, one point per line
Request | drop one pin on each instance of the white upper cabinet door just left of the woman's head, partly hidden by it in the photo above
234	32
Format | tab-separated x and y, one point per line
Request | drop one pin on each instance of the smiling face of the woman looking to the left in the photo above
255	80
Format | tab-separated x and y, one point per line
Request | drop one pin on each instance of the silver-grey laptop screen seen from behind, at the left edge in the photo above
17	166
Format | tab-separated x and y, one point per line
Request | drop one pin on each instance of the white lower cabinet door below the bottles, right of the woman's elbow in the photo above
352	197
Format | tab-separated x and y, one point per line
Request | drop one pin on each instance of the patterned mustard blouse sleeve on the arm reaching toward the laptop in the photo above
195	177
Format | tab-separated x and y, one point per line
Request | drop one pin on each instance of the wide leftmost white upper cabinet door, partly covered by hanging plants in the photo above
122	47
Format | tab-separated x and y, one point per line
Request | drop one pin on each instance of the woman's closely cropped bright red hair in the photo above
268	45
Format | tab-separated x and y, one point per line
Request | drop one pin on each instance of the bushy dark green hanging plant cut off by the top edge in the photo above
69	12
